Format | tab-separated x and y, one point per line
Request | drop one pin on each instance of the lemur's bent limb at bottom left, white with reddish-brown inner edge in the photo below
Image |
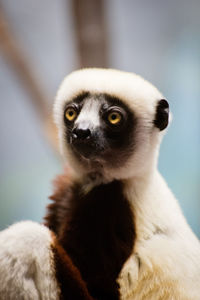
33	266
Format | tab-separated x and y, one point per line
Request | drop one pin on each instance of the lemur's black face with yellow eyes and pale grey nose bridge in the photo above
111	141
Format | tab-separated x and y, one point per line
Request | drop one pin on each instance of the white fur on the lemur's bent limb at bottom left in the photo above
26	263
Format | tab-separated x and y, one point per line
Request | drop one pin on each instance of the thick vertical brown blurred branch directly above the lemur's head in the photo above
91	33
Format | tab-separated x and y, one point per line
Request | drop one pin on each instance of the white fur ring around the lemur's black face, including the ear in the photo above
140	97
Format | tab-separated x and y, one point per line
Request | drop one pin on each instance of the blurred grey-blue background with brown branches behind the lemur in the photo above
42	41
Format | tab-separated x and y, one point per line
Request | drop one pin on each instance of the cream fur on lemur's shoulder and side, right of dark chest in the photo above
165	263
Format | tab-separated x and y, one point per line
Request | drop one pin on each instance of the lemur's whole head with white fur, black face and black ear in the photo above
92	89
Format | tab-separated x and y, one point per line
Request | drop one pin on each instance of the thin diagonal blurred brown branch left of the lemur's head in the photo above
16	58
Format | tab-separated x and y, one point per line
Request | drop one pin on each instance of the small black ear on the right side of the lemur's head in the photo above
162	114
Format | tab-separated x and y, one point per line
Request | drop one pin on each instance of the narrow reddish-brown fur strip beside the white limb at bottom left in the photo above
68	276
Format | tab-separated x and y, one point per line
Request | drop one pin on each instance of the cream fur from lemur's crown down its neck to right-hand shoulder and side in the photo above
165	263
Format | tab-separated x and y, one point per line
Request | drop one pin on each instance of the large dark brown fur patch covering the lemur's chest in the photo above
96	230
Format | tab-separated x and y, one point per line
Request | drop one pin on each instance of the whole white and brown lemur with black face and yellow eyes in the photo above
114	229
